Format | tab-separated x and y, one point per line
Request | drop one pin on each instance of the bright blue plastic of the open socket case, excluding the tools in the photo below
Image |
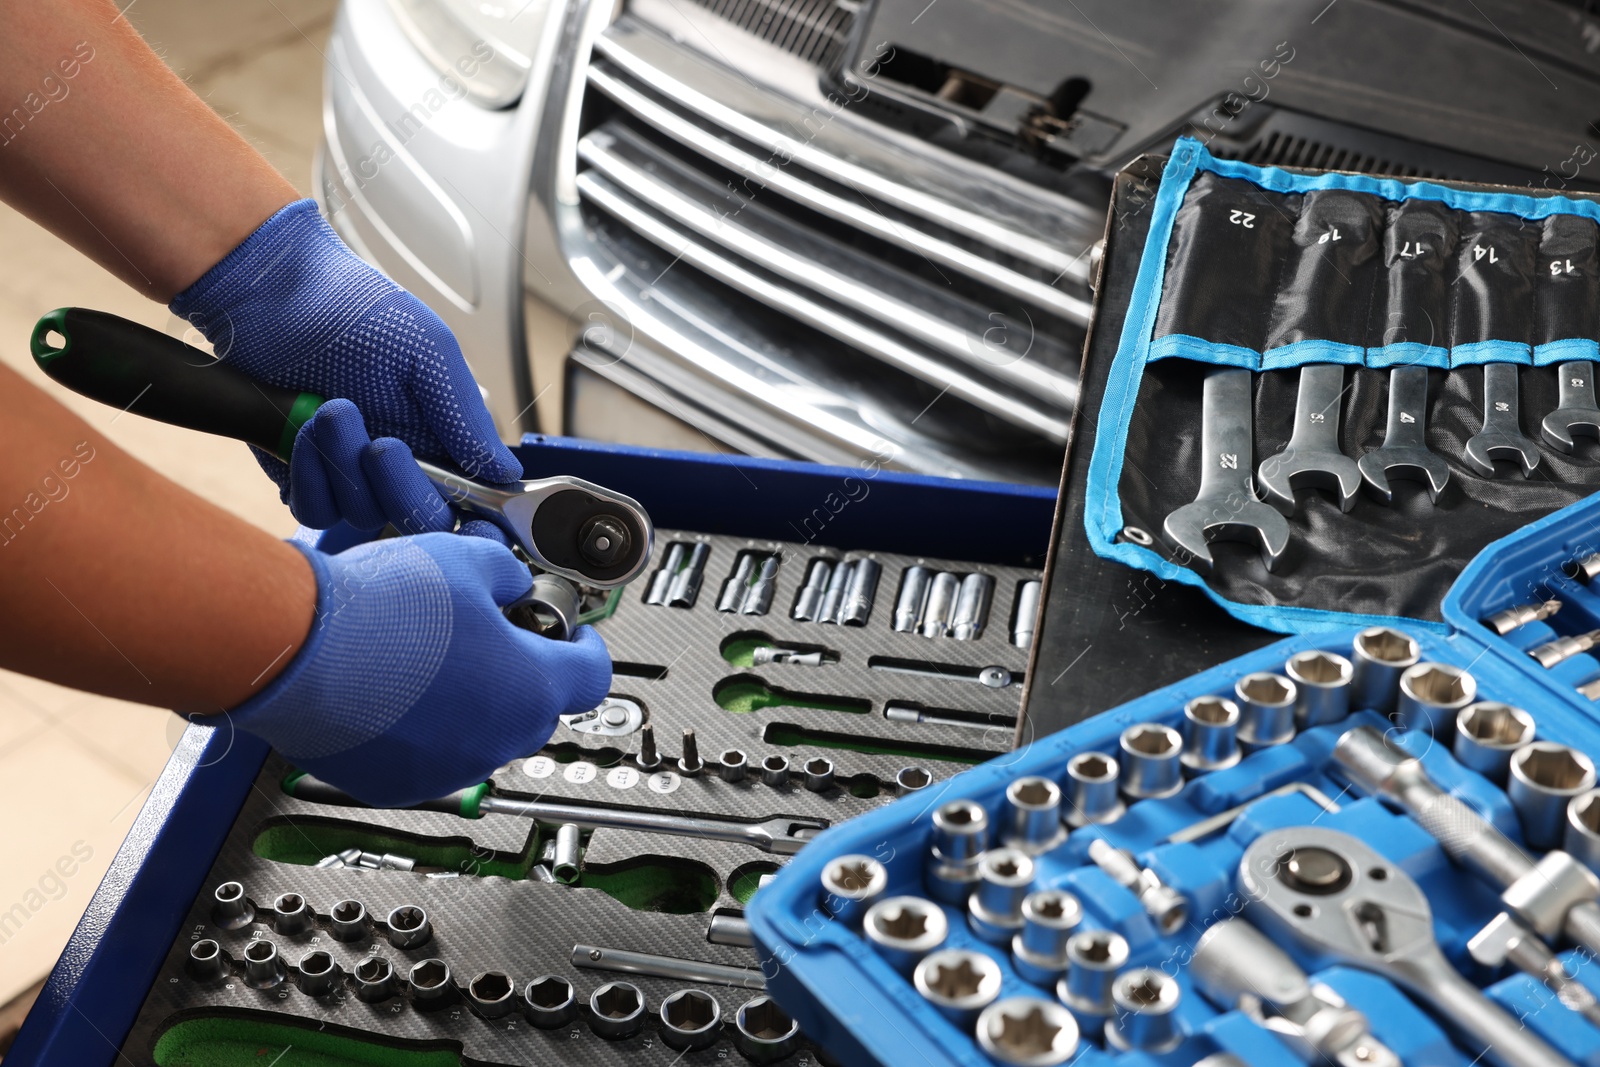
862	1009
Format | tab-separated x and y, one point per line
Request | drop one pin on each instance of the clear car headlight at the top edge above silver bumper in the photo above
484	46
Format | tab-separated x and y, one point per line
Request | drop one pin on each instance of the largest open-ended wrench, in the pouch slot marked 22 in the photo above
1226	508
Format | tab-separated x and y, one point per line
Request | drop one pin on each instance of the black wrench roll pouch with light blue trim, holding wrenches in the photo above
1311	302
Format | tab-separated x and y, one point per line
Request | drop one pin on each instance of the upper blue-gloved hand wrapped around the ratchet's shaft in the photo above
294	306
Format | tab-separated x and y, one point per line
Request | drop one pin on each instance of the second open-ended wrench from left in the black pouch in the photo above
1313	458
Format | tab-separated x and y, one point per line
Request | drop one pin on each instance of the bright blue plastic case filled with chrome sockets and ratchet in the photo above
1367	847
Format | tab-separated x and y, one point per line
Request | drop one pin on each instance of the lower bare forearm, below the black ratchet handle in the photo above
122	583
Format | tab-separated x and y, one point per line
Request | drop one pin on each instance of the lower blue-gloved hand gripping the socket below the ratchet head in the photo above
412	684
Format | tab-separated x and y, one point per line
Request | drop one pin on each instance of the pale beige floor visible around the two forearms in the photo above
258	63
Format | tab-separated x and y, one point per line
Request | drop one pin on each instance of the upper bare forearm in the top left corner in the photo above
113	153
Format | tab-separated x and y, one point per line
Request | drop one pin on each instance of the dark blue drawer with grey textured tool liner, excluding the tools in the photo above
218	796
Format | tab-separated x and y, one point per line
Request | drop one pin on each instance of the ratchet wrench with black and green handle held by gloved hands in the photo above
569	527
